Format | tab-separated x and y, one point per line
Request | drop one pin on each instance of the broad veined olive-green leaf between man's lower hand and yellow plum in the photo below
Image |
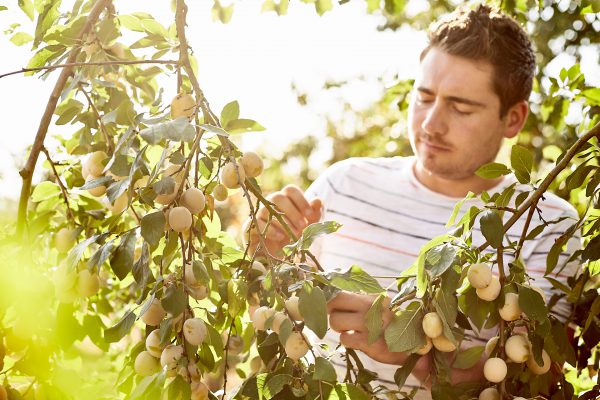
405	333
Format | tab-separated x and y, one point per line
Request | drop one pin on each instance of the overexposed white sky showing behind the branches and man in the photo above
254	59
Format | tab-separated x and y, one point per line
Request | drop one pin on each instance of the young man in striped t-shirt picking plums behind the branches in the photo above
471	93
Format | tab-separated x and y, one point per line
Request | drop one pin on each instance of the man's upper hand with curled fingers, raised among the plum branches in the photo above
298	214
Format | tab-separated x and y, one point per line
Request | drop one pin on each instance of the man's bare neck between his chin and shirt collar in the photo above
453	187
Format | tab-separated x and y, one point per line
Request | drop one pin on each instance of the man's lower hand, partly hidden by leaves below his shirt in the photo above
348	316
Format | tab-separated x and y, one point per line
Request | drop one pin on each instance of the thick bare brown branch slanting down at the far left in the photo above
27	172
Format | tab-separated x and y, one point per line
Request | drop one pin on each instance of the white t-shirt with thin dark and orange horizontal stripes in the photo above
387	215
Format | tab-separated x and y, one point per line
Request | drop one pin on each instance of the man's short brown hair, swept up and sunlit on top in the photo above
486	34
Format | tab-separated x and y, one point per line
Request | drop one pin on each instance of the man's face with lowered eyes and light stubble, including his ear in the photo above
454	116
